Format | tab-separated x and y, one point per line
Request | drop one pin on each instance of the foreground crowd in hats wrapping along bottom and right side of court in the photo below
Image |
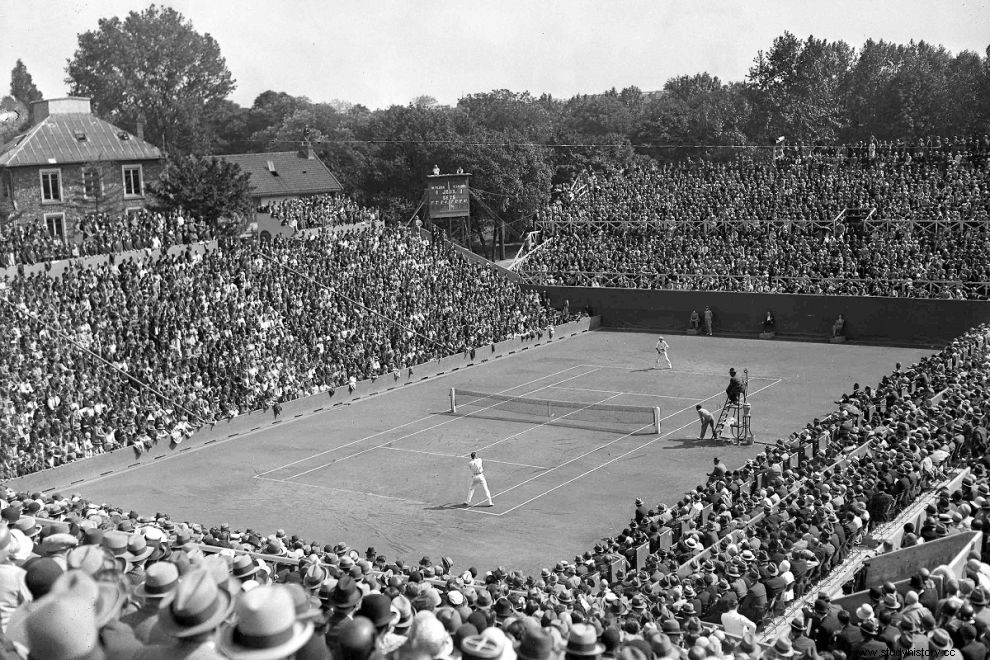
90	580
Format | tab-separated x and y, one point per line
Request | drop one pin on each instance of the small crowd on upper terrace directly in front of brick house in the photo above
98	233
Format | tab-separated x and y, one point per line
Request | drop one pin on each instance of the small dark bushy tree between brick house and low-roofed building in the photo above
210	188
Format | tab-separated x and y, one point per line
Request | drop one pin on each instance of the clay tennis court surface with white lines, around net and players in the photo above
391	471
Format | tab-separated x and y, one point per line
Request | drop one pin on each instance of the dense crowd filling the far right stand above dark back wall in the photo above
768	227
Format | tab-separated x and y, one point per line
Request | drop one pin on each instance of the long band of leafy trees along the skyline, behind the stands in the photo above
154	66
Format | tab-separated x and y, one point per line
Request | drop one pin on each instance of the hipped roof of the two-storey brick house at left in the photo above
74	138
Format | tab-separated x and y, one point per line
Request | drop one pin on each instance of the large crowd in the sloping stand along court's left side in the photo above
133	352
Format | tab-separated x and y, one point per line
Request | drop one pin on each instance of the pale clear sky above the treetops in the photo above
384	52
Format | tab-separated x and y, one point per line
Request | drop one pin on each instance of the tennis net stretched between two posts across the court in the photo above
607	416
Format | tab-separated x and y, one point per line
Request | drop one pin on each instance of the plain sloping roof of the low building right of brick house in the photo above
294	174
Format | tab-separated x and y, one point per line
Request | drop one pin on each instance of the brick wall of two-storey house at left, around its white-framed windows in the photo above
26	185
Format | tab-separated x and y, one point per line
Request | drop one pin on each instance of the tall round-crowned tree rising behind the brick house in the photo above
154	64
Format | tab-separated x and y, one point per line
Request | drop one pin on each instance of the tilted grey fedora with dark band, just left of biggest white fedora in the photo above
198	605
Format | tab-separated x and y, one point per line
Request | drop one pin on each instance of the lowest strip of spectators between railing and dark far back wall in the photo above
901	288
